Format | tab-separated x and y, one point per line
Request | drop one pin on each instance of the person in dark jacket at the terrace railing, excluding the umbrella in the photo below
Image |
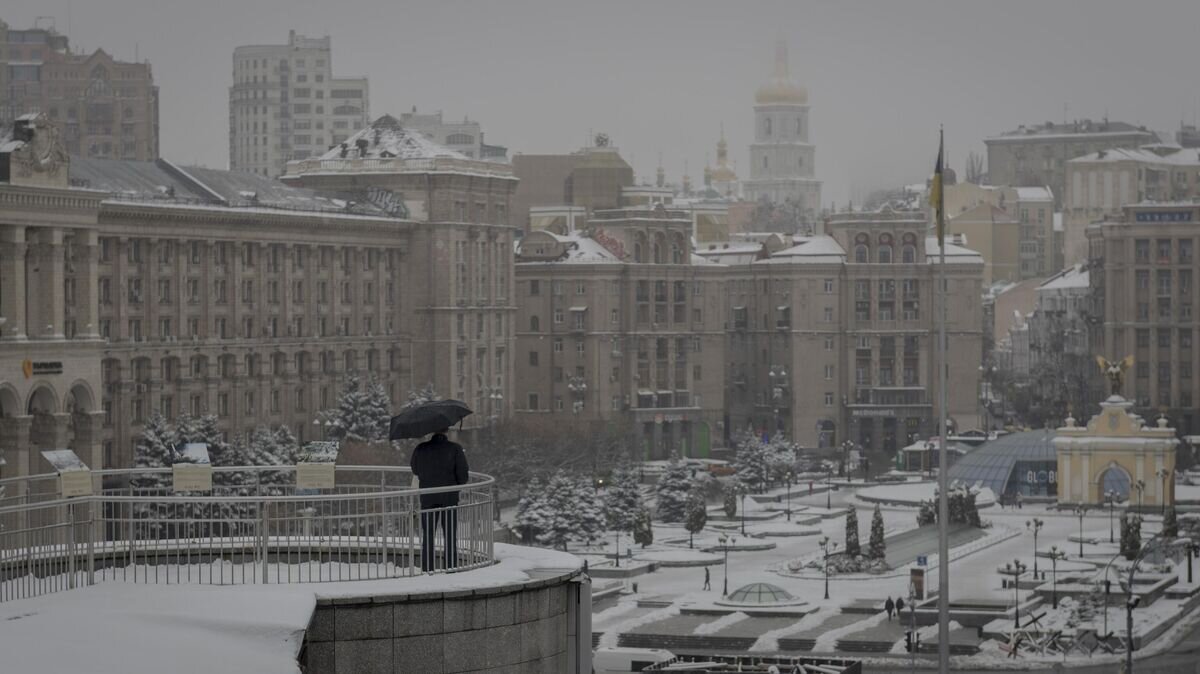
440	462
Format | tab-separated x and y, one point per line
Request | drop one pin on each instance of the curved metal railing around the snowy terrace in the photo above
254	527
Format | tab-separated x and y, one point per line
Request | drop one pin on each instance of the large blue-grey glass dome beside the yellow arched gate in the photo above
1024	464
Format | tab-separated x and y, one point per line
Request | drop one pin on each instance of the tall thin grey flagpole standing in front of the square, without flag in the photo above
944	509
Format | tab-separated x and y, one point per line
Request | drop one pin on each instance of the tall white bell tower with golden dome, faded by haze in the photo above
783	163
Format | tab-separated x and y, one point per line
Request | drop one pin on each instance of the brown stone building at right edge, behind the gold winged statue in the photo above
1143	276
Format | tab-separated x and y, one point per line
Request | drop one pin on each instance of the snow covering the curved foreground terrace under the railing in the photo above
135	629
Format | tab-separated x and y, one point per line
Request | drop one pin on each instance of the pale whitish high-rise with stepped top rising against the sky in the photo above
285	105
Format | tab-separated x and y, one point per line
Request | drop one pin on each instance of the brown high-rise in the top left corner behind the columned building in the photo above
104	109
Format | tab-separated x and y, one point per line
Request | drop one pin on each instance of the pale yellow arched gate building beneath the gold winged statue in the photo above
1115	454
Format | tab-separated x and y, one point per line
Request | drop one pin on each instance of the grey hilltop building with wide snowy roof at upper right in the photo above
1036	157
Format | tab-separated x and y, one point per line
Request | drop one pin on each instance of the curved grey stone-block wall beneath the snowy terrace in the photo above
513	629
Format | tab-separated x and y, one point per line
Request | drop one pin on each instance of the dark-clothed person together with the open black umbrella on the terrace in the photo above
437	462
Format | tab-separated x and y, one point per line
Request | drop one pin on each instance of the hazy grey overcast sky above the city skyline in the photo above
661	77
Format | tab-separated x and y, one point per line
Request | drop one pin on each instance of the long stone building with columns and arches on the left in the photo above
134	287
